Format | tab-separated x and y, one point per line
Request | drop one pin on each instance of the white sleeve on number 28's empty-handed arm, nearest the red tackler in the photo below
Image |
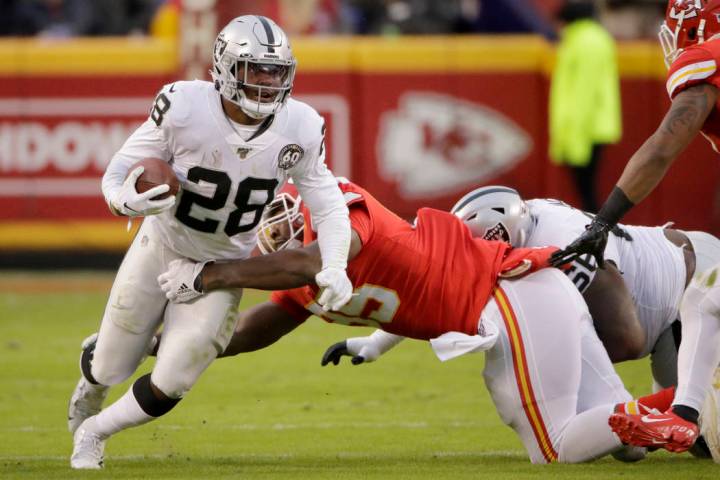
320	192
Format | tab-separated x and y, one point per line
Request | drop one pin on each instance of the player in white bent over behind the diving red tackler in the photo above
654	263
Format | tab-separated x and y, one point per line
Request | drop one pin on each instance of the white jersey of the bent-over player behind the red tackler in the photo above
652	267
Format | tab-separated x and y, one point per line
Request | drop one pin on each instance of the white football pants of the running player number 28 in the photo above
193	333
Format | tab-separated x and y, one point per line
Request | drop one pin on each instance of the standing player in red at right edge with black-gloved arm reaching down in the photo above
690	38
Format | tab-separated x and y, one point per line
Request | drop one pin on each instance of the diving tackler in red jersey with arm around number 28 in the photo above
434	281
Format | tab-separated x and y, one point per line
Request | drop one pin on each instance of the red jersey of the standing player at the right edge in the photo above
699	64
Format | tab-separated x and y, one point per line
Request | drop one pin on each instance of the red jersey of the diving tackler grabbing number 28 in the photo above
416	281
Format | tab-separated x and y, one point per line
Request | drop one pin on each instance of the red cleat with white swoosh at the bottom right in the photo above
665	430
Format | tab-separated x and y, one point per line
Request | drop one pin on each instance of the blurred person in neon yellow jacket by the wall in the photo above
584	97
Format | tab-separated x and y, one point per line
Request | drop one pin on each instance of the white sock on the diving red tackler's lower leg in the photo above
588	436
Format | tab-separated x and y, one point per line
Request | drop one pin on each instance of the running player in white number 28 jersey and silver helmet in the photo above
231	142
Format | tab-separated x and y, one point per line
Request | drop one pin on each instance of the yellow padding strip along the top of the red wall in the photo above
431	54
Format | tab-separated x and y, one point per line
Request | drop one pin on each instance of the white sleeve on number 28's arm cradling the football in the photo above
147	141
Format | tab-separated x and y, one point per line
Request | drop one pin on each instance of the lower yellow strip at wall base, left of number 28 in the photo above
98	235
